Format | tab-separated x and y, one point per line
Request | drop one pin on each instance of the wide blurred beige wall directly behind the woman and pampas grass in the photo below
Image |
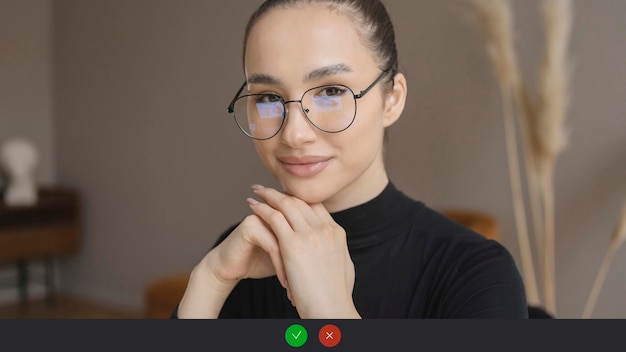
141	88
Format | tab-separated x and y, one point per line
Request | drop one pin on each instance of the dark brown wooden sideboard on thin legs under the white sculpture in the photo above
42	232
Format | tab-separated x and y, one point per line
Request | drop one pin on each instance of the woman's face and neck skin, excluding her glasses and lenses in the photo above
292	50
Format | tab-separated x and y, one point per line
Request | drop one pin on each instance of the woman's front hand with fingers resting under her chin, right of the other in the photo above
314	253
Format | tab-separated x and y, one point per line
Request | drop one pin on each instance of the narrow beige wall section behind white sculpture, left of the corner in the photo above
26	74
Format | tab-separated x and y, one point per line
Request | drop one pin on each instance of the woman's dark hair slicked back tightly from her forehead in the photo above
369	16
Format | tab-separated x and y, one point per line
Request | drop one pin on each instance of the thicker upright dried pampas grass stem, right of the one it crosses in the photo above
548	135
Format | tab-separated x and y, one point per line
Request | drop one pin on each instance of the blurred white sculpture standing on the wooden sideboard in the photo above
19	158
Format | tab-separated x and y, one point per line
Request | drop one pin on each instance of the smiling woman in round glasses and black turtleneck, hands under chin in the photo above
338	240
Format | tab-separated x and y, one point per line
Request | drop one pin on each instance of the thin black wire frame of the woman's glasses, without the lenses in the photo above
231	106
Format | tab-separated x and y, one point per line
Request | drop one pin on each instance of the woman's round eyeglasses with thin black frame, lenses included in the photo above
330	108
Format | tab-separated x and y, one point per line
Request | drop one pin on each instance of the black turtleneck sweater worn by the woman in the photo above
410	262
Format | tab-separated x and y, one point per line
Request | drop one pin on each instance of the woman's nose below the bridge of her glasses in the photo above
297	130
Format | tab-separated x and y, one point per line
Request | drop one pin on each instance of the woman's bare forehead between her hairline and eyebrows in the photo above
304	38
